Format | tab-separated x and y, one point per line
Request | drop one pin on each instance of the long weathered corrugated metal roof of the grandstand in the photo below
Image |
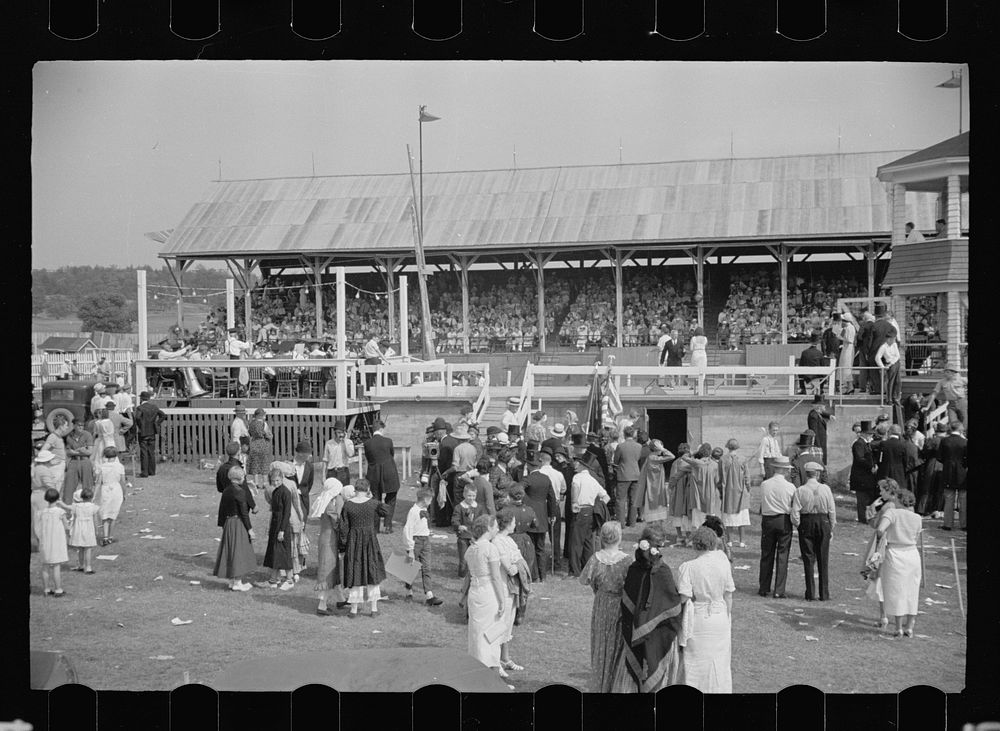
635	204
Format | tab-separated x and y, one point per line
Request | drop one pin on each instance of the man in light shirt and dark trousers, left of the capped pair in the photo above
776	494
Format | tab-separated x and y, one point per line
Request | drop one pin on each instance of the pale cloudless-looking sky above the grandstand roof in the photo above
122	148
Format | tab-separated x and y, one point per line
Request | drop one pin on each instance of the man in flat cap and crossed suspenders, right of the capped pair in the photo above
814	513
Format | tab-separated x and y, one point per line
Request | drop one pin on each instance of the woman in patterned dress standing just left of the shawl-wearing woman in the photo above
605	575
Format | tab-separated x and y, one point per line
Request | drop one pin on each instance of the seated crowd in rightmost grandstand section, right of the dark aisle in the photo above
752	313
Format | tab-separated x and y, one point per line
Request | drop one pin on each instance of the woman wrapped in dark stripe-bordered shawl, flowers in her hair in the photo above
651	609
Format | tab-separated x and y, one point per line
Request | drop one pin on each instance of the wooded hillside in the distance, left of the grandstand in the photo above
104	297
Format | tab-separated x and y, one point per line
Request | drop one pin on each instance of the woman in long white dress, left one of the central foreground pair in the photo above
487	595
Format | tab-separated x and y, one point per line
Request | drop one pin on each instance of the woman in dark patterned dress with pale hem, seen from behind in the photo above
364	568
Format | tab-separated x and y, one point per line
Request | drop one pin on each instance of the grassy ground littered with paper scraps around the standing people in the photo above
112	623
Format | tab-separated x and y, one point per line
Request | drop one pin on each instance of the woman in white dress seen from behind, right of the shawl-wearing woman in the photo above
706	583
